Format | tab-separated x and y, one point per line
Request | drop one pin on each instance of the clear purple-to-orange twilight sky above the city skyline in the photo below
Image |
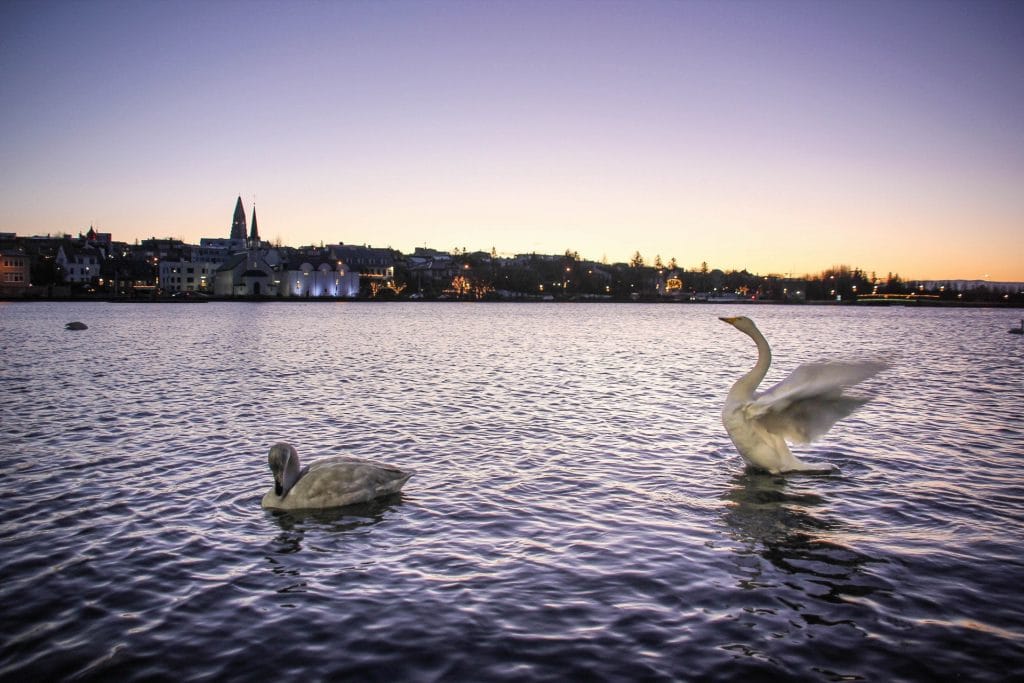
777	137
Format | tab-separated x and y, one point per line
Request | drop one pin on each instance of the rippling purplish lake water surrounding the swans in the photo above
578	510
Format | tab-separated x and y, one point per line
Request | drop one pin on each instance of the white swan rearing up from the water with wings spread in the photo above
800	409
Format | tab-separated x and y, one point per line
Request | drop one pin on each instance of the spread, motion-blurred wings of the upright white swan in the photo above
806	405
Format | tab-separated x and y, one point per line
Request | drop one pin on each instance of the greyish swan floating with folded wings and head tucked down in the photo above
329	483
